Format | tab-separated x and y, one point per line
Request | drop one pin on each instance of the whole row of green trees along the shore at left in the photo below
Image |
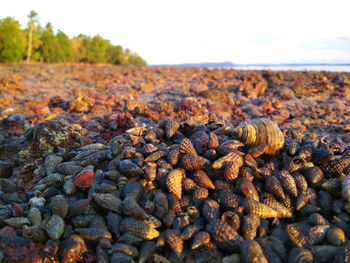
37	43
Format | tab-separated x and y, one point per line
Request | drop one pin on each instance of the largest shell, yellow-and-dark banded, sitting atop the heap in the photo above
261	131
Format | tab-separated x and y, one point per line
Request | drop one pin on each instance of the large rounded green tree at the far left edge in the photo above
12	40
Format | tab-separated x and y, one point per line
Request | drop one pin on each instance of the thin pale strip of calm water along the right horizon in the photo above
335	68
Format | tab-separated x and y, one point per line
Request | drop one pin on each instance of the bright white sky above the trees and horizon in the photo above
194	31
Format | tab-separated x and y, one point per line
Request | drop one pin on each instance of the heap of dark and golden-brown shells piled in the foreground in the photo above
190	191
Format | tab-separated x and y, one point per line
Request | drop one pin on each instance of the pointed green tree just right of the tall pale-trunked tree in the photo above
50	49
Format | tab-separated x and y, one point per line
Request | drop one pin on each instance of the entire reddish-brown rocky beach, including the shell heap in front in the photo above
104	163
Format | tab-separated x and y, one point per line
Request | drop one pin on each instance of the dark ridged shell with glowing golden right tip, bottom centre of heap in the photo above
138	228
